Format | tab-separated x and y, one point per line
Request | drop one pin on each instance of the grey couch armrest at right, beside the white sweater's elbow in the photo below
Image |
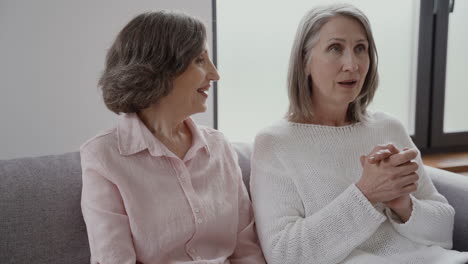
455	188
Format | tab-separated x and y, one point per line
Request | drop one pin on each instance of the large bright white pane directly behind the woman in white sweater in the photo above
252	89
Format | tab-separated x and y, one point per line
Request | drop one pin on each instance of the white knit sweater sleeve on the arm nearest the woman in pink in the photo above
286	235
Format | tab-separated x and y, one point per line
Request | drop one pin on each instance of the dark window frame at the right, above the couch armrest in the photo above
430	95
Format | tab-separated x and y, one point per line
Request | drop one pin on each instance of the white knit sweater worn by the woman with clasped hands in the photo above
308	209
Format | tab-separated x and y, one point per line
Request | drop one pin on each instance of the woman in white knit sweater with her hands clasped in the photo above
334	182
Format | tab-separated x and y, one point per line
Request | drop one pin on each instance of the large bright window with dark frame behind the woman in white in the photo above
254	40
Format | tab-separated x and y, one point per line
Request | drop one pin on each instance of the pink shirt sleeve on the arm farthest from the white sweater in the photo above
103	210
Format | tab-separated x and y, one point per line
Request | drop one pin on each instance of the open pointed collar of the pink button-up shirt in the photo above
133	137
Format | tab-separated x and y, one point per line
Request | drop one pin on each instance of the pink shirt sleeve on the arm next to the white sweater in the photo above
247	249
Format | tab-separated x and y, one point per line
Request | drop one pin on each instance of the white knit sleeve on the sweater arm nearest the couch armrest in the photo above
432	219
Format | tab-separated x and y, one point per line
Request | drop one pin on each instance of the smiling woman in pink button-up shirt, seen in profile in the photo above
157	188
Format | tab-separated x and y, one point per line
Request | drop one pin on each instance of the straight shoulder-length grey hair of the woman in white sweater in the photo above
300	83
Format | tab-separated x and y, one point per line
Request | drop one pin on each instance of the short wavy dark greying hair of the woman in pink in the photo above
149	52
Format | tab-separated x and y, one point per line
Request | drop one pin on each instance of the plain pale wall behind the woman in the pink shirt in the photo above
51	55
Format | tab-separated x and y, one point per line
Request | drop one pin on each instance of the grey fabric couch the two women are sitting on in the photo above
41	221
